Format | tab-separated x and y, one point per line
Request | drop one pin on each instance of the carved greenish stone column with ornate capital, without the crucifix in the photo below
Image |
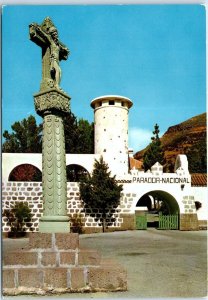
51	105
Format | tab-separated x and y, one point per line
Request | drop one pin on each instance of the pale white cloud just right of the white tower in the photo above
139	138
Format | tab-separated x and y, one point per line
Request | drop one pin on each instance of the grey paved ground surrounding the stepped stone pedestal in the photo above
160	263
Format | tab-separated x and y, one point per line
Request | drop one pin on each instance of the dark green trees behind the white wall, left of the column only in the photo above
25	138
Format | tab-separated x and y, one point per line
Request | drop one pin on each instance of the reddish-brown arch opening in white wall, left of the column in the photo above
25	172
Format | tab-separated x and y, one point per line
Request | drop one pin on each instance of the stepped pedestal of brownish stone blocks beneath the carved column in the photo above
54	263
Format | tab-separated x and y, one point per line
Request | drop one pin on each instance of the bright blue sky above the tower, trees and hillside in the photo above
152	54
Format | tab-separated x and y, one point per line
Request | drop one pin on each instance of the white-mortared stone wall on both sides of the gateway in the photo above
122	218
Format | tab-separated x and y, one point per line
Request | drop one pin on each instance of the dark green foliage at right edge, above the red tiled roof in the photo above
197	157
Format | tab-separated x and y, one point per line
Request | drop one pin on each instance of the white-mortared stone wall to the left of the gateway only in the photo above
31	192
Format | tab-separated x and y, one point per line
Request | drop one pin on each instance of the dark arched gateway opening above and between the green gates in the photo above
153	203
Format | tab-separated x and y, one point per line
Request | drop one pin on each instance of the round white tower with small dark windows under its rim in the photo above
111	131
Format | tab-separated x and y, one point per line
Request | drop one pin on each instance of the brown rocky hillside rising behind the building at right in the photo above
188	137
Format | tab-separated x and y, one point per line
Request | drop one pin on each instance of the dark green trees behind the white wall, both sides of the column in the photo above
26	136
